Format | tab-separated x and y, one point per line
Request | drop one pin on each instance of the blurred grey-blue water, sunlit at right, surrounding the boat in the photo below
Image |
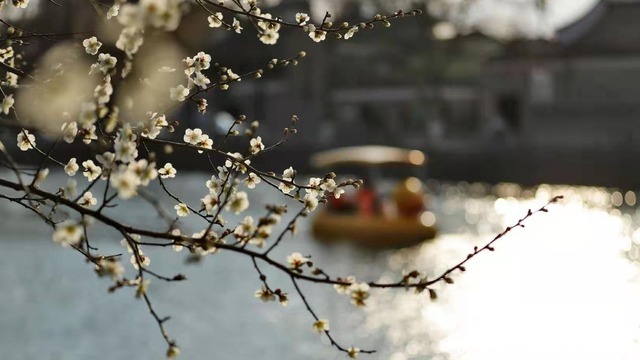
564	287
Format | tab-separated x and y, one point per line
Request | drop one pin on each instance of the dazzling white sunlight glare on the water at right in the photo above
563	287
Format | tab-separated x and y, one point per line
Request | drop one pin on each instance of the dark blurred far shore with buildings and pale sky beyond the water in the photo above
528	91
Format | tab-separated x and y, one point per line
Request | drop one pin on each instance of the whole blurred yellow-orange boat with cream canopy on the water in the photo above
367	218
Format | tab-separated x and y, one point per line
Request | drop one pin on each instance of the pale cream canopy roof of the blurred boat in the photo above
369	155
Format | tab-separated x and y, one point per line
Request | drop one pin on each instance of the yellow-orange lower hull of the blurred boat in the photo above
374	231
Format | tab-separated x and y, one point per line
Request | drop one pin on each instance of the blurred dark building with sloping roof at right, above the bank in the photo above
578	91
